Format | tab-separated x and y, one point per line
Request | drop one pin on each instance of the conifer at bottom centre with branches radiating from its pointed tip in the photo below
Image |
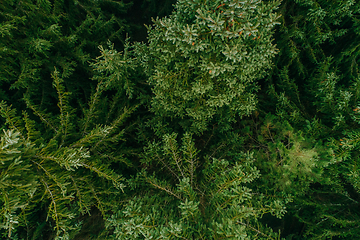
194	198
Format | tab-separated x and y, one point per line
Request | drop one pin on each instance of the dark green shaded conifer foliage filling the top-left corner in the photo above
36	36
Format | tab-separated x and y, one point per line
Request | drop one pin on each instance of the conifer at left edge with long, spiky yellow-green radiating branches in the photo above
67	170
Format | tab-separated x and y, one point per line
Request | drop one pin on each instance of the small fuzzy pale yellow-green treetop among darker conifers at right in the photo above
289	161
